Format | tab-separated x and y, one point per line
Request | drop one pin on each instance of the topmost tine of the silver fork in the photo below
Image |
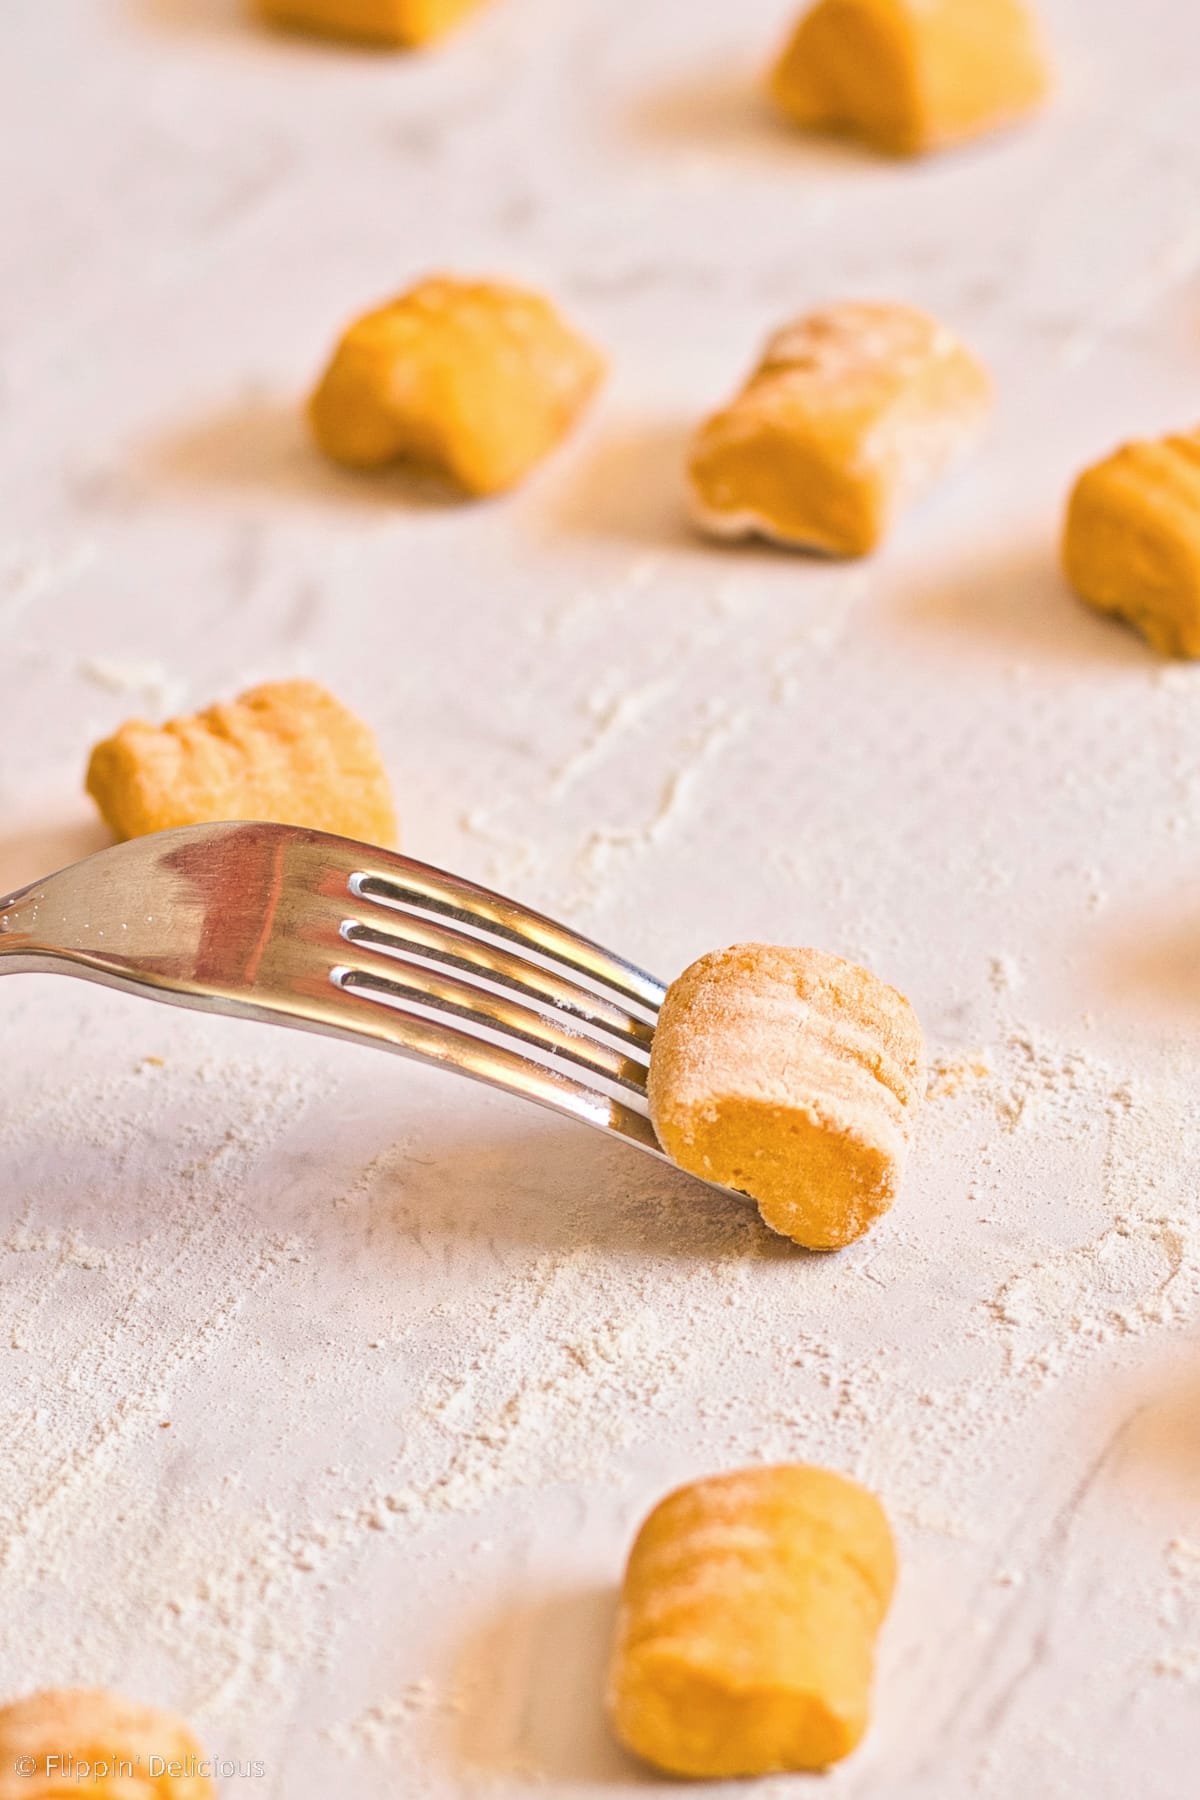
400	883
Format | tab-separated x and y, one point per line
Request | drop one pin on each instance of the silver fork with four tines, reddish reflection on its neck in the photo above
325	935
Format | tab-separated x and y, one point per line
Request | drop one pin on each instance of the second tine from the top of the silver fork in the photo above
474	957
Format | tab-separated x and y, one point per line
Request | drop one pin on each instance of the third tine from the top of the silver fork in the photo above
395	982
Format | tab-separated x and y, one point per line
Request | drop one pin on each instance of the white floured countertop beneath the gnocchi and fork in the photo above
334	1389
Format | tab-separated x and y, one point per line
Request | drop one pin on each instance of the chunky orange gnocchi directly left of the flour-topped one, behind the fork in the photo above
470	379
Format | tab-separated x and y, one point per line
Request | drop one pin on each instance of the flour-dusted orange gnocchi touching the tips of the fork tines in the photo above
794	1077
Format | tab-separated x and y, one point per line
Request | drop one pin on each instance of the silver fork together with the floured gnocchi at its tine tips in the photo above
785	1075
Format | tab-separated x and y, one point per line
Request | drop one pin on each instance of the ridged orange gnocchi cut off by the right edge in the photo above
1133	543
